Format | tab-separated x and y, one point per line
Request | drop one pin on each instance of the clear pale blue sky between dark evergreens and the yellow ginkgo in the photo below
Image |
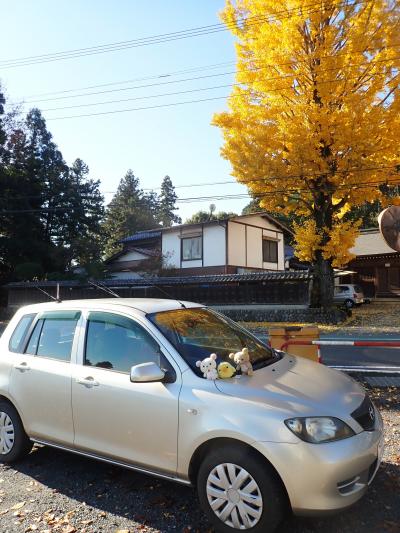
178	141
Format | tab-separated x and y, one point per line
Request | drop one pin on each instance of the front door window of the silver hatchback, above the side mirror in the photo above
117	343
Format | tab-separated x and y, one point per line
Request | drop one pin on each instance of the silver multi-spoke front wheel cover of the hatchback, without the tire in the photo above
234	496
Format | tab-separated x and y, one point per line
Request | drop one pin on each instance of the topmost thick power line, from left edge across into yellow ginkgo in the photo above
162	38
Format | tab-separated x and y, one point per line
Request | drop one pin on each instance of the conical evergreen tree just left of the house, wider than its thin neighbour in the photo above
130	210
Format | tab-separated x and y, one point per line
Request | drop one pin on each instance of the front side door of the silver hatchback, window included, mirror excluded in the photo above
130	422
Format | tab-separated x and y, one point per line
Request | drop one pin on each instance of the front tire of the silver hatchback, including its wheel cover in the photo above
229	467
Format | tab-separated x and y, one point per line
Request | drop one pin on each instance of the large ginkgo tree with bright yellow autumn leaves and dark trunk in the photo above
313	119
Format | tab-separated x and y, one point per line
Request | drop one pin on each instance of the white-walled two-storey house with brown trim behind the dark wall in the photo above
235	245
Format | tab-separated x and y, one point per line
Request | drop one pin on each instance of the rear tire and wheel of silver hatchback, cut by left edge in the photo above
14	442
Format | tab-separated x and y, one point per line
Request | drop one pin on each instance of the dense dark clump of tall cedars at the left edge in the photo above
49	209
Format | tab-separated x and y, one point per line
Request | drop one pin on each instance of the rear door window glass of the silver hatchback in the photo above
53	335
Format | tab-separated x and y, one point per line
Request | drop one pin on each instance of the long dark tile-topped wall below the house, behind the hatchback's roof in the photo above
265	288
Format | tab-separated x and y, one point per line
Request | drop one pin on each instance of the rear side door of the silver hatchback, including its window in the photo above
40	381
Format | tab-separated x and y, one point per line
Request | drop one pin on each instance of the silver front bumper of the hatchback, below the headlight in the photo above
323	478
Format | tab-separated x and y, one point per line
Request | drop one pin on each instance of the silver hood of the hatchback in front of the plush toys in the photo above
298	387
